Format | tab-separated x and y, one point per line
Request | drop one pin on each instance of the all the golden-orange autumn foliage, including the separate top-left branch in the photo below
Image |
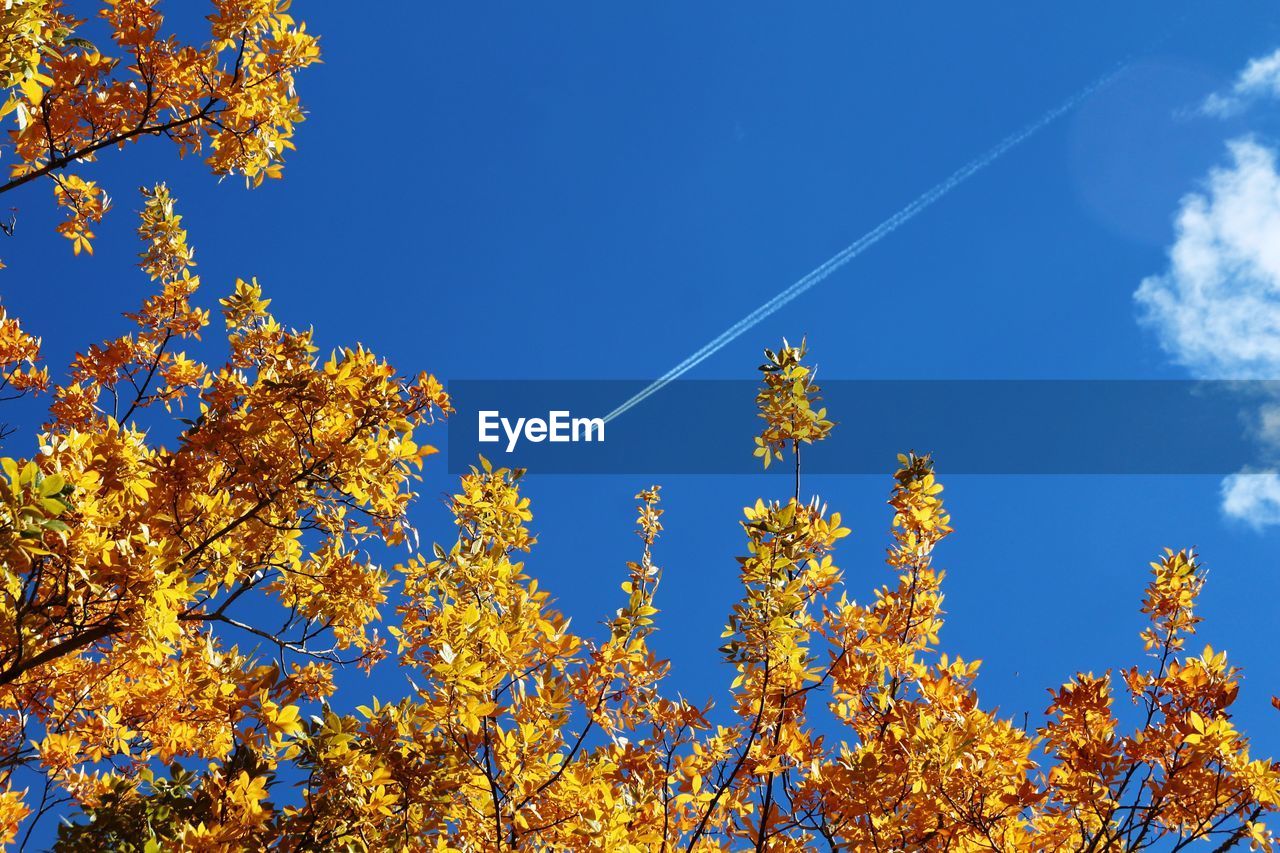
186	558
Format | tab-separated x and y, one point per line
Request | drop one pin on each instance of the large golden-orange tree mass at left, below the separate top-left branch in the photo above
131	569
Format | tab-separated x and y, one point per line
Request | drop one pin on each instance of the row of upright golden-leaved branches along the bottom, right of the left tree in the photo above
848	728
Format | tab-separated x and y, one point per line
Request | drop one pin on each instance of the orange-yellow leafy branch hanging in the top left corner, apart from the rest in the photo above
234	98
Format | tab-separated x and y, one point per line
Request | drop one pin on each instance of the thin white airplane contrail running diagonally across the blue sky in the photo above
868	240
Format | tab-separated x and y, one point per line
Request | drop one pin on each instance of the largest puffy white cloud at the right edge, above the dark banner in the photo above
1217	309
